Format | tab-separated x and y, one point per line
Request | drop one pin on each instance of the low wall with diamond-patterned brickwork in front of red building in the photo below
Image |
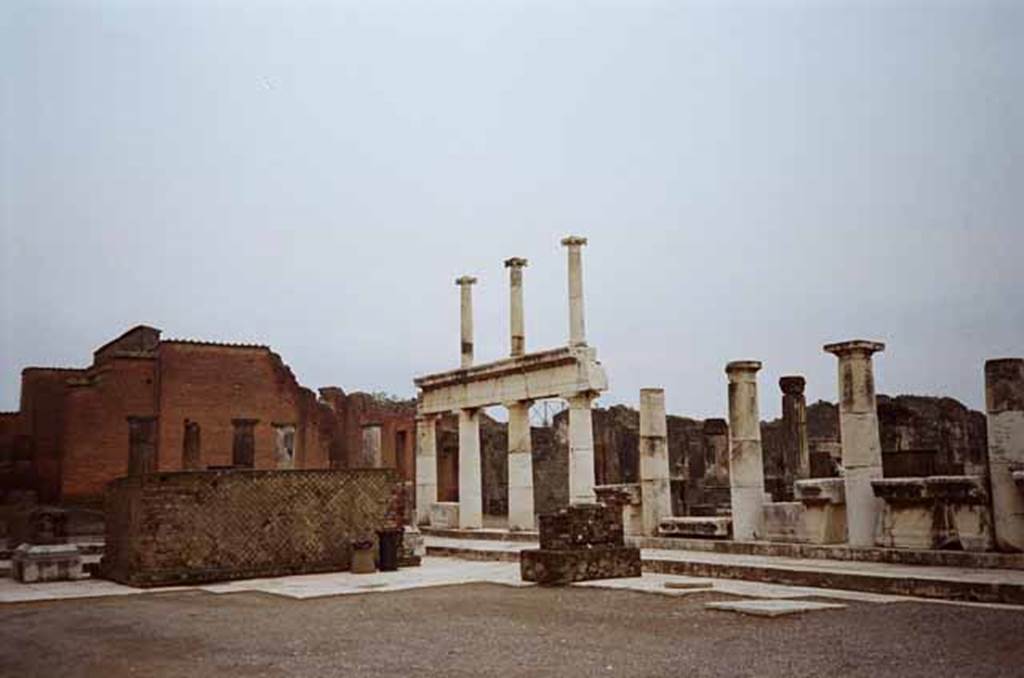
208	526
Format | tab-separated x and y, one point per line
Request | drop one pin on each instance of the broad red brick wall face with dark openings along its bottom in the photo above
212	386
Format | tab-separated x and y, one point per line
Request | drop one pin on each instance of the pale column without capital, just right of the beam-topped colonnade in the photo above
656	491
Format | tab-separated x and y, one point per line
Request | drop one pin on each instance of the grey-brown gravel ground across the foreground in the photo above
490	630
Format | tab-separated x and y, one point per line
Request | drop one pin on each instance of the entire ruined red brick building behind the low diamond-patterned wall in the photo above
148	405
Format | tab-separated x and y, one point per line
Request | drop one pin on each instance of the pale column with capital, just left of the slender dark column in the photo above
747	476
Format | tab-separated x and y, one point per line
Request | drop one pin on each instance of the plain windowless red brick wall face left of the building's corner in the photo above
96	426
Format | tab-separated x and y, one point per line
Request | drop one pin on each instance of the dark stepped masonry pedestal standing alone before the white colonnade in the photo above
580	543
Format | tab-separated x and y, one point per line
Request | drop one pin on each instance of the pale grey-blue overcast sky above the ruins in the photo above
756	180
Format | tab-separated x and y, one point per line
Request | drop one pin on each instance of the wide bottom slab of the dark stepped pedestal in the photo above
559	568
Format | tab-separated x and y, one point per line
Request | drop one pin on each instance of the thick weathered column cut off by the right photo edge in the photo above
1005	403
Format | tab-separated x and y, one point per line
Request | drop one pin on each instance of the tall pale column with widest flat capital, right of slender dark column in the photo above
859	428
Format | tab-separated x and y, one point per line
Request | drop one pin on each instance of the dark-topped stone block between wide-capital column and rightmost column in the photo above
934	513
